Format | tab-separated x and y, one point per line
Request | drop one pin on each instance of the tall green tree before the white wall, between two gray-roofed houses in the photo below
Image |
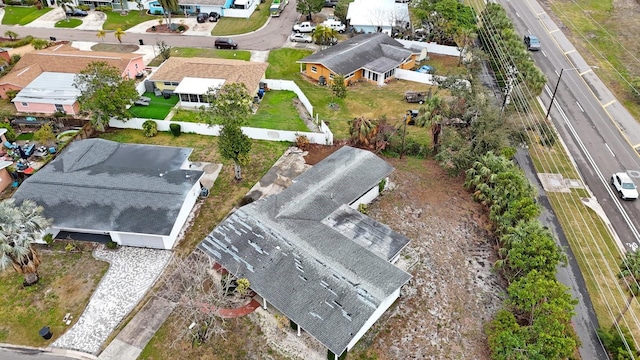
230	106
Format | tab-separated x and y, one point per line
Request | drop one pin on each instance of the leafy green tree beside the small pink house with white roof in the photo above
104	93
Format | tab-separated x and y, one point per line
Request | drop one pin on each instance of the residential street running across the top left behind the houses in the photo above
272	36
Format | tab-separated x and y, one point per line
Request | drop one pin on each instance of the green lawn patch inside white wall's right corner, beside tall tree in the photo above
277	112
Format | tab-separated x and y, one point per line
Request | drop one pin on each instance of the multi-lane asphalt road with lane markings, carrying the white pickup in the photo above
594	131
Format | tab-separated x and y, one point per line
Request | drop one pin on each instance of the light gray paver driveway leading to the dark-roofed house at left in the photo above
131	274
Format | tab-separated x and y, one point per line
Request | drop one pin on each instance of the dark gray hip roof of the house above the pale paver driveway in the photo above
102	185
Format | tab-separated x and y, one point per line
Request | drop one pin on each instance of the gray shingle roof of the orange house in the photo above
355	53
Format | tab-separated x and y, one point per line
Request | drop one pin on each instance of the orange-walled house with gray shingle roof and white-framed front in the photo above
370	57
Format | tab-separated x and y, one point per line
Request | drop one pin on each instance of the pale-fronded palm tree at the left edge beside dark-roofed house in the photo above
20	227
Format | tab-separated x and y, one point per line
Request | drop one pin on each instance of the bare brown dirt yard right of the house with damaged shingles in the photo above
454	292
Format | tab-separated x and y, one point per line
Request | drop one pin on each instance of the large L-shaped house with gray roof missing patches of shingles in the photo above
310	254
